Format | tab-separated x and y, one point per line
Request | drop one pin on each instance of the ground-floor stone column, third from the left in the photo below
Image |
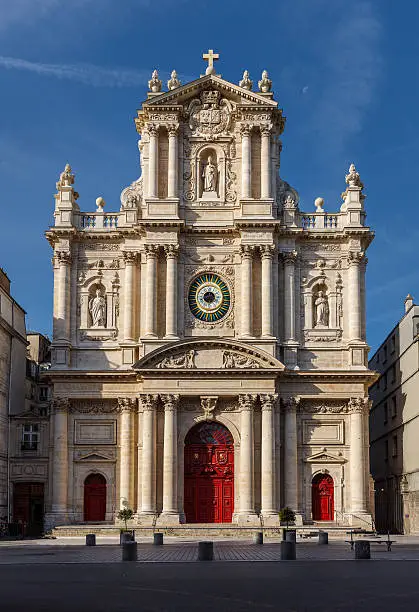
148	461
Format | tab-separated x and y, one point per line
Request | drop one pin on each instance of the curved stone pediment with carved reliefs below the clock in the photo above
198	355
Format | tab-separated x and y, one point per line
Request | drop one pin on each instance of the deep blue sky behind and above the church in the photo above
72	75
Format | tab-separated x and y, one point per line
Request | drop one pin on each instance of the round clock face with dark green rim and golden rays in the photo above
209	298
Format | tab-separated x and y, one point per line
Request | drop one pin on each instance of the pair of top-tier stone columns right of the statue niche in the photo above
265	162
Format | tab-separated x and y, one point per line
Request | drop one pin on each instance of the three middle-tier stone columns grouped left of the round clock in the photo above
152	253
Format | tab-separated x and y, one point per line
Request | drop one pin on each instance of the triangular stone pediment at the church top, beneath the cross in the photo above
234	93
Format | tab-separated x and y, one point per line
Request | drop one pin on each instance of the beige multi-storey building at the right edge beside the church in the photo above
394	426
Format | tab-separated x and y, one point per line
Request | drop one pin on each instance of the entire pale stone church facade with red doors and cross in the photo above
209	356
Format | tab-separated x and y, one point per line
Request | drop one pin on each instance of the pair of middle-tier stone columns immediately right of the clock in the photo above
247	254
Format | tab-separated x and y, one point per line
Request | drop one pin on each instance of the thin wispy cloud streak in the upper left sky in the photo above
83	73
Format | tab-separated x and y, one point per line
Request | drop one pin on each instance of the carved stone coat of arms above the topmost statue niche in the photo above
209	116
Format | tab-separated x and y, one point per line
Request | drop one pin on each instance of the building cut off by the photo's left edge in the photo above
12	379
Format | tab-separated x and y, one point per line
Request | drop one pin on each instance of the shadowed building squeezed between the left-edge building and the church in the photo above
29	440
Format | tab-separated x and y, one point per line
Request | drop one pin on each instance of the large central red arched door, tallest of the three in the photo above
209	474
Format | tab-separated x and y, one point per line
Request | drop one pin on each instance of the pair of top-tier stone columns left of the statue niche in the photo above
153	161
